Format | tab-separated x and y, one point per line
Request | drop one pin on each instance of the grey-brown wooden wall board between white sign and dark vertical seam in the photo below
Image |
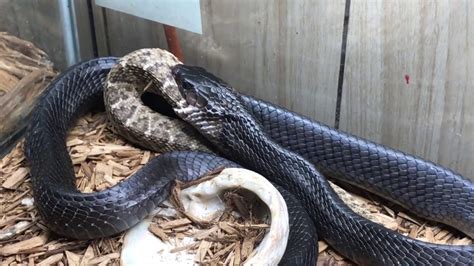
285	52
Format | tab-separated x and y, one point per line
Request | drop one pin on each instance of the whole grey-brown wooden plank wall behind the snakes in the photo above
407	80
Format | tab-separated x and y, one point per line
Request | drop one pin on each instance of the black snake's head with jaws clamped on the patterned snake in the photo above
208	103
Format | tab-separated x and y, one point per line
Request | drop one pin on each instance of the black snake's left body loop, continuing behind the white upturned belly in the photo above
71	213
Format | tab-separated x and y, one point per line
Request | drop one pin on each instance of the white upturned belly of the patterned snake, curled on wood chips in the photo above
203	202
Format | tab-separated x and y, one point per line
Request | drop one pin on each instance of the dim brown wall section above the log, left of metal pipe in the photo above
38	22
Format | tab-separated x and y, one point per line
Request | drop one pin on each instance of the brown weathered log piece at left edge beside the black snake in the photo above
25	71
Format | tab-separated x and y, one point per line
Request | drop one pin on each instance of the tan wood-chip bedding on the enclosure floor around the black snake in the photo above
101	159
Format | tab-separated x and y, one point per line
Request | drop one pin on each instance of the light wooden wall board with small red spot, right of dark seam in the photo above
431	42
